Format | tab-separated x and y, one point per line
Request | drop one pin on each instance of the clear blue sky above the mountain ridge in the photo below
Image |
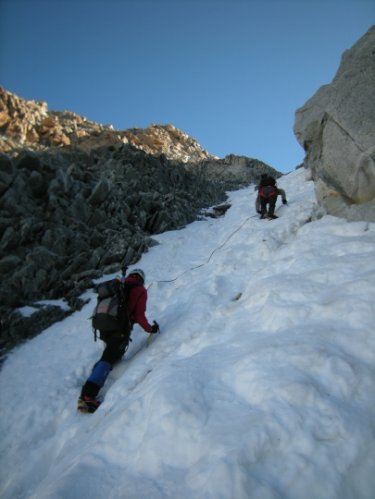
230	73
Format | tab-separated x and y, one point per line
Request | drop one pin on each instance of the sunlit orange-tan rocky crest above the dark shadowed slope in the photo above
29	124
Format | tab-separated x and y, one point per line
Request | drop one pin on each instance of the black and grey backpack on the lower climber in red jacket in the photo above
110	314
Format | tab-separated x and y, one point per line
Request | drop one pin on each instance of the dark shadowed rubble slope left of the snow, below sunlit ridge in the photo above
70	217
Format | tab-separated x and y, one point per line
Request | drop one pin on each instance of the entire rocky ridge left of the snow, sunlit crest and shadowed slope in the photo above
77	201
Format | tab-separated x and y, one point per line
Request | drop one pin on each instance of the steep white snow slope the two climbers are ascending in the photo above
260	385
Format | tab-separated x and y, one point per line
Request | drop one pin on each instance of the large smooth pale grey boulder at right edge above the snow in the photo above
336	127
